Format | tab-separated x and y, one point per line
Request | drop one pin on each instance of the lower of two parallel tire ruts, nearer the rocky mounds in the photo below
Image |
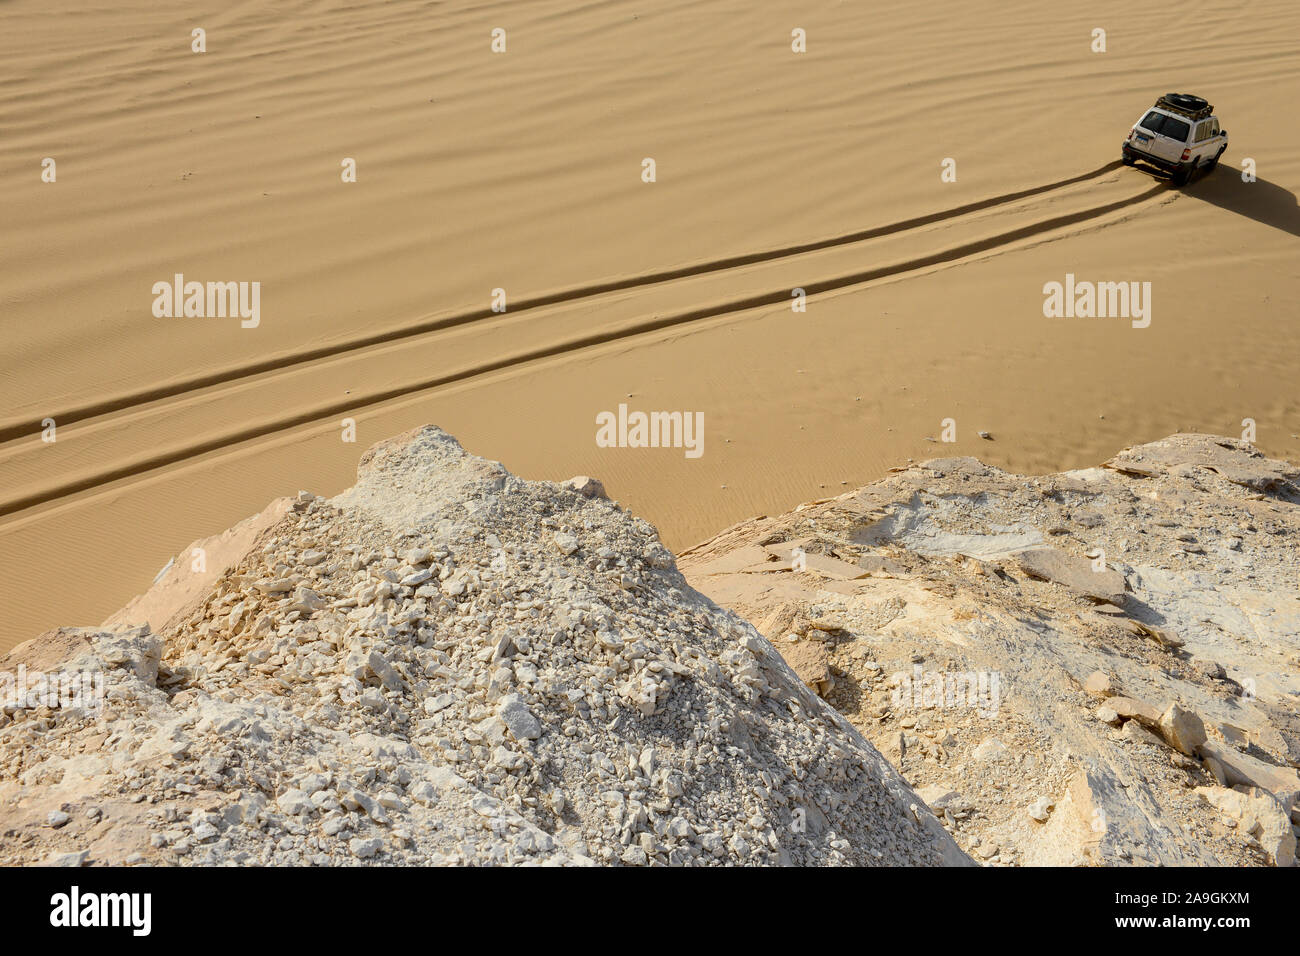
772	297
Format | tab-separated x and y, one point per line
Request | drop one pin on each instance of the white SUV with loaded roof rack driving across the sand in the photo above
1180	135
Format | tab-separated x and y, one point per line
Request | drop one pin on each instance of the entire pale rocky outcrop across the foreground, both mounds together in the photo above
449	665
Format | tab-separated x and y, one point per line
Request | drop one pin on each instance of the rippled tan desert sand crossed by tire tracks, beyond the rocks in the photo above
523	171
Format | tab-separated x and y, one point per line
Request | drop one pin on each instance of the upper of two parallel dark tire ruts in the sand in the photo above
15	430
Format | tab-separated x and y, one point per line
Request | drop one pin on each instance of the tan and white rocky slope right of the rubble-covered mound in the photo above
1082	665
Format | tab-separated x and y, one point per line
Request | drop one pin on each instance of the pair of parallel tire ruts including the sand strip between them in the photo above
140	432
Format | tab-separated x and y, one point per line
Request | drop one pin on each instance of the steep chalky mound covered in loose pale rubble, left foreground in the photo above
447	665
